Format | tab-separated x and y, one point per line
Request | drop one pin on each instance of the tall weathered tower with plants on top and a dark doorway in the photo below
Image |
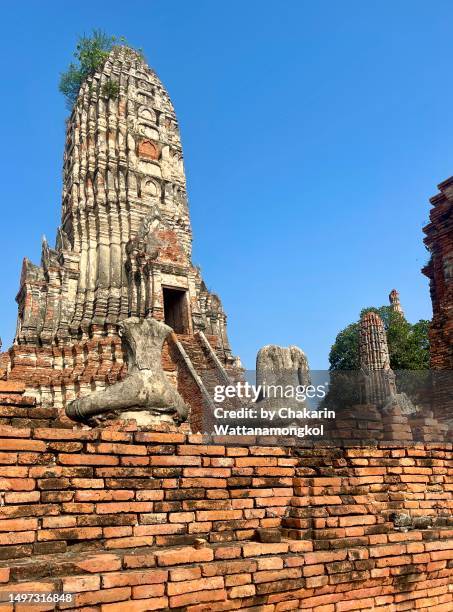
123	247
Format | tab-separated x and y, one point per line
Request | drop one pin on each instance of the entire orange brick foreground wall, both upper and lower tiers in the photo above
114	516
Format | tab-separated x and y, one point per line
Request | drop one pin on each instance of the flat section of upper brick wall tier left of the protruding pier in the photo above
129	489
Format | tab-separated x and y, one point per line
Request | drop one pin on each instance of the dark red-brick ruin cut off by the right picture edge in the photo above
439	270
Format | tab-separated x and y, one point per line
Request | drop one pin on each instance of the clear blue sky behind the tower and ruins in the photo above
313	134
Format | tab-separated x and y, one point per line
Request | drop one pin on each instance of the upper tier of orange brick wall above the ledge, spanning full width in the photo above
129	489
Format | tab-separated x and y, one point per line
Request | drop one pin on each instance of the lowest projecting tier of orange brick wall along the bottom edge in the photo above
410	575
